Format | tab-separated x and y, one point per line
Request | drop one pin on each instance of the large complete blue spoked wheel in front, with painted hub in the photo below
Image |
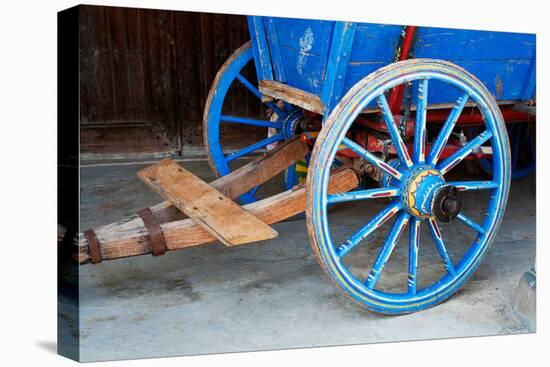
416	190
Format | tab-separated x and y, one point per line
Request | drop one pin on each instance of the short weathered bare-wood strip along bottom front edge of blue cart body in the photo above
296	96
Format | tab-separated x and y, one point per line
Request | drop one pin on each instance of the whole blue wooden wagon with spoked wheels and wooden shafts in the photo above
373	115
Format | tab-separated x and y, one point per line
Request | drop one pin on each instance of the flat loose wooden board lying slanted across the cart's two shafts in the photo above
208	207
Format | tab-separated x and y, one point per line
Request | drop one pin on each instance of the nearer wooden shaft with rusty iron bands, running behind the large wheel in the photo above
129	237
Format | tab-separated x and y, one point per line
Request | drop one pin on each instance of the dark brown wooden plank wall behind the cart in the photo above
151	66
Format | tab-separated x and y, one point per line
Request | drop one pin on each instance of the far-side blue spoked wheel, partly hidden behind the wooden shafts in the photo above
282	122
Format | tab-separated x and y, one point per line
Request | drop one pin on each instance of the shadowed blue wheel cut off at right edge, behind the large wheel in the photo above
522	146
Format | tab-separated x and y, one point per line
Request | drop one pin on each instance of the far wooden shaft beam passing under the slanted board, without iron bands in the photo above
246	177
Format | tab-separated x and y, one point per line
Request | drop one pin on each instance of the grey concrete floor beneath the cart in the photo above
273	295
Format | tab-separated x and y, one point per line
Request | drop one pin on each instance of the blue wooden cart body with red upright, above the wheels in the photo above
324	59
